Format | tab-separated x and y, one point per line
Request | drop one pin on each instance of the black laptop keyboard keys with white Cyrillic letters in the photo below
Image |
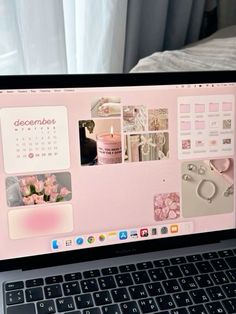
195	284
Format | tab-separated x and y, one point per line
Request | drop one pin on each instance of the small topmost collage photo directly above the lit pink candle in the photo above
106	107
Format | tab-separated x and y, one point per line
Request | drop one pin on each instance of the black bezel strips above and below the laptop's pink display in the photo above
112	80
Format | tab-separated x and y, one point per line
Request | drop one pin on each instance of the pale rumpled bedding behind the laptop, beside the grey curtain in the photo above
211	54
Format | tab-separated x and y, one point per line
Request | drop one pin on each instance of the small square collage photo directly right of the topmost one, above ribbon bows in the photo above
134	118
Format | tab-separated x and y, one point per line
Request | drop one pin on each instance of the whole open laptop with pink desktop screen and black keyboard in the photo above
118	193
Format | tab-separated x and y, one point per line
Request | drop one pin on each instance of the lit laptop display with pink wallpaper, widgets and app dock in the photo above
89	167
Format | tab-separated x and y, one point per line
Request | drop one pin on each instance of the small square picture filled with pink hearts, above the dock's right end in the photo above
166	206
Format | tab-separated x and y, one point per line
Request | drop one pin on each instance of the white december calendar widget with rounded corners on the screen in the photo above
38	138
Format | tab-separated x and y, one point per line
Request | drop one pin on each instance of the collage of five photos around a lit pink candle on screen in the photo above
120	133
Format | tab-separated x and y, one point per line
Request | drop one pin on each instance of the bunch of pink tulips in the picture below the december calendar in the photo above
40	189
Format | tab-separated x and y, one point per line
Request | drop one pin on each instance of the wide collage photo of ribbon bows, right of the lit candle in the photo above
146	147
